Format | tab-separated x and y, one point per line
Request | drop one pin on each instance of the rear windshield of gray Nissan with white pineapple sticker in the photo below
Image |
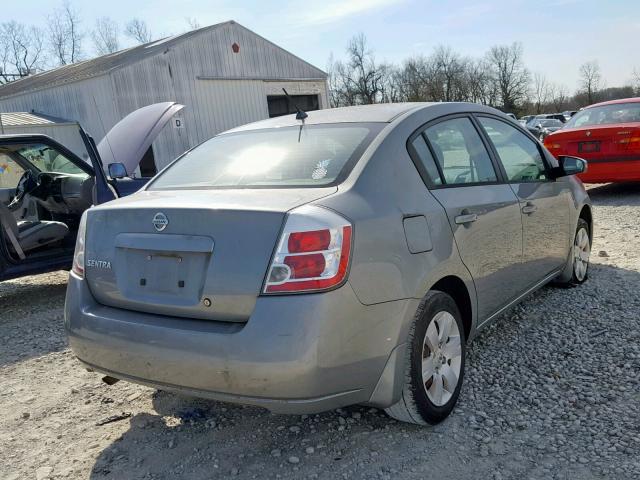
311	156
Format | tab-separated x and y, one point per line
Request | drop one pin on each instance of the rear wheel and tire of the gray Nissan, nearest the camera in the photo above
429	399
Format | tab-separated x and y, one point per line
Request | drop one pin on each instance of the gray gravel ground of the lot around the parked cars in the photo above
552	391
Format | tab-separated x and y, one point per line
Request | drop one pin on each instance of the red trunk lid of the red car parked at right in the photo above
595	141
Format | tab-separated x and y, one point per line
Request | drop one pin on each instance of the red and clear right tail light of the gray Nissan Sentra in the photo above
312	254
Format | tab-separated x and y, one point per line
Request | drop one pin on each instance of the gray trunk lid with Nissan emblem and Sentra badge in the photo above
196	254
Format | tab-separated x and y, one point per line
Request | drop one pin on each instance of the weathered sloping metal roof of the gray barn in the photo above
107	63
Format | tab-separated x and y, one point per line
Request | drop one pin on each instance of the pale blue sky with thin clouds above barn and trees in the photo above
557	35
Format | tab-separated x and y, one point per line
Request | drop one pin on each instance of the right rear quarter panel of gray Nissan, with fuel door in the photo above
383	190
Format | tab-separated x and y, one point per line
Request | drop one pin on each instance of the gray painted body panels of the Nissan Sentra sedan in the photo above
311	352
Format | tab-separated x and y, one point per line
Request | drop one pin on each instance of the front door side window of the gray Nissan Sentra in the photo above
519	154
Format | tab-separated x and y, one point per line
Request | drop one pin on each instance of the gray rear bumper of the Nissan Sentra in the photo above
296	354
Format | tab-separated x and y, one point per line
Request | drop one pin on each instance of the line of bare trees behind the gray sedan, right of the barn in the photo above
499	79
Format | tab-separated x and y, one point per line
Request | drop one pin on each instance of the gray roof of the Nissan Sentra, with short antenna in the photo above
378	113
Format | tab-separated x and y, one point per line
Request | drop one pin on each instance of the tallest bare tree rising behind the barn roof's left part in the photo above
65	34
